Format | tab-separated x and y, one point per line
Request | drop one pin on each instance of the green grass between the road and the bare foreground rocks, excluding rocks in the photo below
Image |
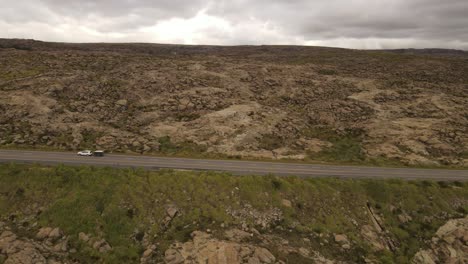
117	203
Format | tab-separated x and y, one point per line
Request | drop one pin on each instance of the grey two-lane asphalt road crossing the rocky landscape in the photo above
236	167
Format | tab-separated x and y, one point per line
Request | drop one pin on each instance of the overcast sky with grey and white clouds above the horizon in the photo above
340	23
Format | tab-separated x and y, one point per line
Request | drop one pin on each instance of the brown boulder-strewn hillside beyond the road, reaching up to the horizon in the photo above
306	103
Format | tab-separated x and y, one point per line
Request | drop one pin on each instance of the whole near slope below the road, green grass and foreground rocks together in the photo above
101	215
